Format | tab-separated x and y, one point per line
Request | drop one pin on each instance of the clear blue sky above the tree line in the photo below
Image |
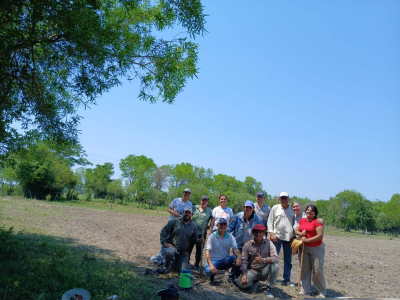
304	96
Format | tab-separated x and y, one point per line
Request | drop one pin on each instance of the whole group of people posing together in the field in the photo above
255	235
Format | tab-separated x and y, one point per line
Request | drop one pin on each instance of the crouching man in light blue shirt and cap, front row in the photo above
218	249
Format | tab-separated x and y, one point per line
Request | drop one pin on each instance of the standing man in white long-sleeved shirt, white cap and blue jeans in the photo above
280	228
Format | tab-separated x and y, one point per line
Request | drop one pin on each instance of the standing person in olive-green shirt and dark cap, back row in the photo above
201	215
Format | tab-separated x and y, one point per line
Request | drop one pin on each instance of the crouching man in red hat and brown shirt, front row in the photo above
259	262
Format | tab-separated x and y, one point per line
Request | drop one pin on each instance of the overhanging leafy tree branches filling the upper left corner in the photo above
56	56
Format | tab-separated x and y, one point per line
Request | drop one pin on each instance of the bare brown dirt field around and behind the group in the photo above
354	266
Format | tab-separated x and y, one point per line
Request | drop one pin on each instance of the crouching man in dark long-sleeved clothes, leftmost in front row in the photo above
175	238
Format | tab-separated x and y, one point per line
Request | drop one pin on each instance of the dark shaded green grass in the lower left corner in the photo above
42	267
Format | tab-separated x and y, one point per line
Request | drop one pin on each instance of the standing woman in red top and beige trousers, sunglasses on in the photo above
311	233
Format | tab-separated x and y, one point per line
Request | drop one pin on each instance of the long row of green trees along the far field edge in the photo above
45	171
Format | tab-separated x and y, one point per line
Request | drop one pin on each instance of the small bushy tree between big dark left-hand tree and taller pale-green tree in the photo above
97	180
